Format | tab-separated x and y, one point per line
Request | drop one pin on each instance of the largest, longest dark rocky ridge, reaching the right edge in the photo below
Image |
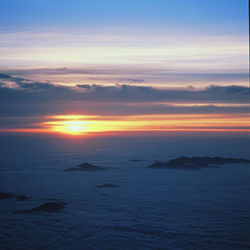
196	163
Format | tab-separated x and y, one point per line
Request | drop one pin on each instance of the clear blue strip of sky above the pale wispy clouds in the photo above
42	13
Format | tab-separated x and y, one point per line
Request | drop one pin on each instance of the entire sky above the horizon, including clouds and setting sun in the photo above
80	67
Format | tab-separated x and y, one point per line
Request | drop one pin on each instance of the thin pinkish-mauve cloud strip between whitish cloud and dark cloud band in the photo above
131	74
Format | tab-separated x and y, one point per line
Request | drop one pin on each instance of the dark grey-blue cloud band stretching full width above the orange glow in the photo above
46	98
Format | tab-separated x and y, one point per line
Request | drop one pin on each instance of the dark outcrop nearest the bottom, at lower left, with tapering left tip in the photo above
45	207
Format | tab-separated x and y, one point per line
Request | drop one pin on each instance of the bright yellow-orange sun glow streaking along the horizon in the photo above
83	125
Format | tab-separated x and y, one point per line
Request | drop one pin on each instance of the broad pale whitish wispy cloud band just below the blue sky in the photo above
190	53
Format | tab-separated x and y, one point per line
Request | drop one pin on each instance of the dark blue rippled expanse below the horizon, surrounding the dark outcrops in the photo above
149	208
